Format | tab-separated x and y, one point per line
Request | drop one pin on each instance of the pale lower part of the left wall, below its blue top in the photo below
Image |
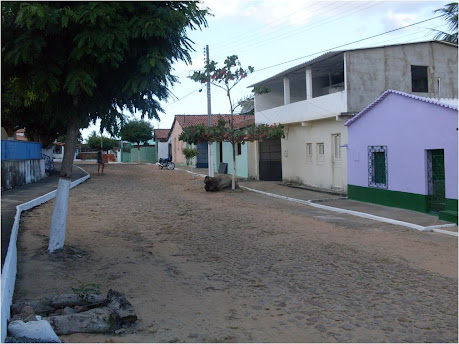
20	172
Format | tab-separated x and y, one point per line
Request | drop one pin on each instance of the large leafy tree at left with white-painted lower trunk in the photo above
81	61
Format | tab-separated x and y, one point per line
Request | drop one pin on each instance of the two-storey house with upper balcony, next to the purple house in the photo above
313	100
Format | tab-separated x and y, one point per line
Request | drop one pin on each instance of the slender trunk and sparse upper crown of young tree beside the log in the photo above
225	78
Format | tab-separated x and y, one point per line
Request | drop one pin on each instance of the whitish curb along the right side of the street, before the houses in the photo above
352	212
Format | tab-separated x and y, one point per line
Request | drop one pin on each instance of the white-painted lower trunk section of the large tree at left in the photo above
59	217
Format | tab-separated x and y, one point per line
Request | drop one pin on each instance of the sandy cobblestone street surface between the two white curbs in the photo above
236	266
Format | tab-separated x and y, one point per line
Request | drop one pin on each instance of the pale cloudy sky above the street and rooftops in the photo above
266	34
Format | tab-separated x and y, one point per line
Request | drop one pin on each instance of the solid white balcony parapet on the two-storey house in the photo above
326	106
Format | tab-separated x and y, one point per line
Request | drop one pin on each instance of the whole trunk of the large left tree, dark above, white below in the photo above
59	217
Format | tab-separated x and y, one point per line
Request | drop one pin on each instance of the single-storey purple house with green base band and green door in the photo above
403	152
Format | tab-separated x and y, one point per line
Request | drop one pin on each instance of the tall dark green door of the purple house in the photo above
436	179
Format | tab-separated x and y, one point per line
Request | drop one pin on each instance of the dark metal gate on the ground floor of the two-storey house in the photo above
270	160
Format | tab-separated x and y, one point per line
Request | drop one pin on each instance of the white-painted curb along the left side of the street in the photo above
10	266
